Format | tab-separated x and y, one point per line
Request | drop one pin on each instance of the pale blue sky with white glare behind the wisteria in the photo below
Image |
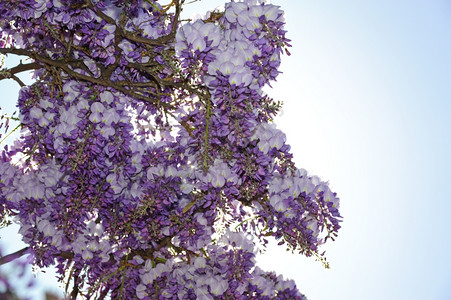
367	94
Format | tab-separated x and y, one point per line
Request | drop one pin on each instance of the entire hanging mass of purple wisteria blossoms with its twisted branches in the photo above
148	165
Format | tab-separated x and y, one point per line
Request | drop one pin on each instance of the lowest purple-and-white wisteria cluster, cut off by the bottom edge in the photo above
227	271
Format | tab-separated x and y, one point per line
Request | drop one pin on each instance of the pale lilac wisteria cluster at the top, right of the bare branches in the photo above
244	46
